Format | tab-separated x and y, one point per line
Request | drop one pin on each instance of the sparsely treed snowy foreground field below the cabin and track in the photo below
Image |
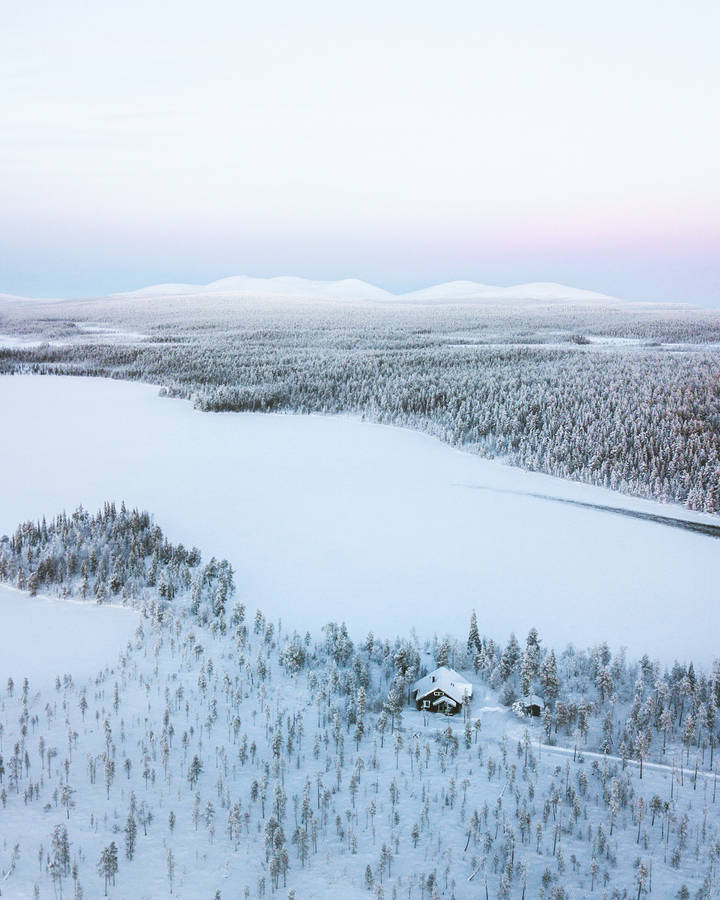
189	750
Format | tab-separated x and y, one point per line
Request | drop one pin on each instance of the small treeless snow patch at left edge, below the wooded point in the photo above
46	637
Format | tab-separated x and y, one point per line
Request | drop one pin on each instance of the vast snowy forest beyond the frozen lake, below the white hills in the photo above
621	396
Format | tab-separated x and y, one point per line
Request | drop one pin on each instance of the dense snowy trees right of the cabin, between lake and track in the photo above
602	701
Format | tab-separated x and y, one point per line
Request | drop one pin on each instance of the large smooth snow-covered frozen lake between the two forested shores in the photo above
332	518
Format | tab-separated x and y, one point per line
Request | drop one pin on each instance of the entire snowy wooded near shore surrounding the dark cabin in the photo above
220	756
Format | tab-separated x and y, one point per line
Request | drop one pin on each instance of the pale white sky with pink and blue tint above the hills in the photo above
405	143
